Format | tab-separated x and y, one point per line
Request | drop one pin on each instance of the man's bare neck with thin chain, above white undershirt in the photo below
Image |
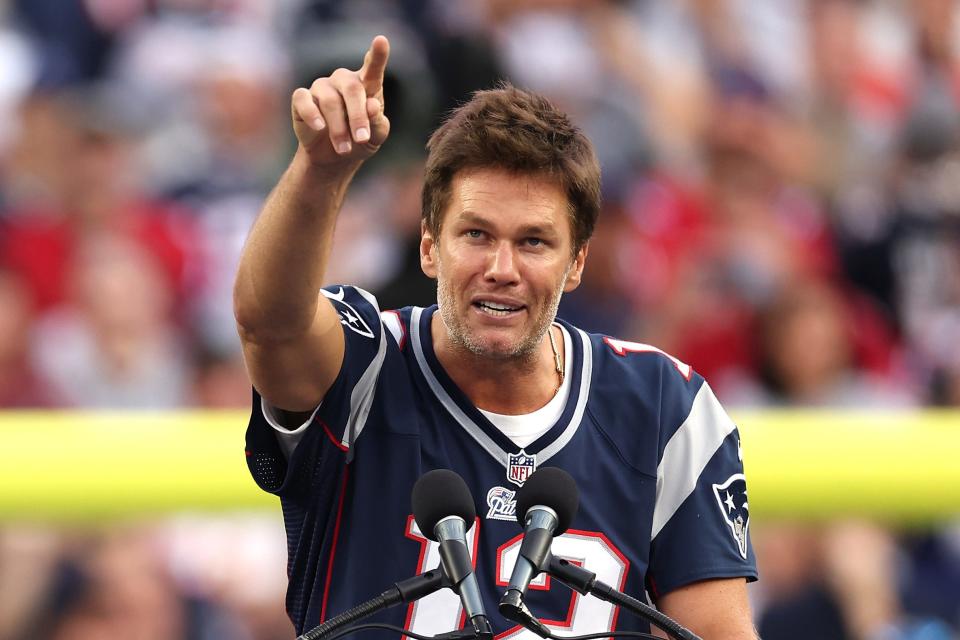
513	386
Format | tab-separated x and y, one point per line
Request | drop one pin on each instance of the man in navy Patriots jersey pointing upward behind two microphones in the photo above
352	404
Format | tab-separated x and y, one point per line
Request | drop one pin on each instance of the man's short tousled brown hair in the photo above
520	132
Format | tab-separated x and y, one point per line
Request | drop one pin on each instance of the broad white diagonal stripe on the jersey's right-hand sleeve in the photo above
687	453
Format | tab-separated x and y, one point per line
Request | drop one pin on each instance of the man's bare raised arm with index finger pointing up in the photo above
292	339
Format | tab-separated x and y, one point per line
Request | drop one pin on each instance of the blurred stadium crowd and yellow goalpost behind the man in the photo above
782	211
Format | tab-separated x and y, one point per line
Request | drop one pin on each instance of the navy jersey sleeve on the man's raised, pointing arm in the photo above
273	451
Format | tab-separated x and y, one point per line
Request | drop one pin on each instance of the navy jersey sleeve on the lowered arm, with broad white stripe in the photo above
701	518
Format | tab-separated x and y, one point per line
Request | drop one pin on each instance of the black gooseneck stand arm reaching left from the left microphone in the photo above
404	591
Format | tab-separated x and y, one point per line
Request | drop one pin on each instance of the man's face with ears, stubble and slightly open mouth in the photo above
501	262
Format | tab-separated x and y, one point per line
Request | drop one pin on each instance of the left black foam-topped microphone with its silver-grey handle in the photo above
444	509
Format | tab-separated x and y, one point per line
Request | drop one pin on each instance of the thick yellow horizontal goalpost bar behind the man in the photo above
84	466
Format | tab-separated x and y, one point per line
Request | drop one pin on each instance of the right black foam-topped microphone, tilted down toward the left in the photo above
546	505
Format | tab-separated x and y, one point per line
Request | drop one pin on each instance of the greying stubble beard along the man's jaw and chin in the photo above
462	338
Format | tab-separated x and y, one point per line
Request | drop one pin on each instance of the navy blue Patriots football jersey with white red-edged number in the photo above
657	460
